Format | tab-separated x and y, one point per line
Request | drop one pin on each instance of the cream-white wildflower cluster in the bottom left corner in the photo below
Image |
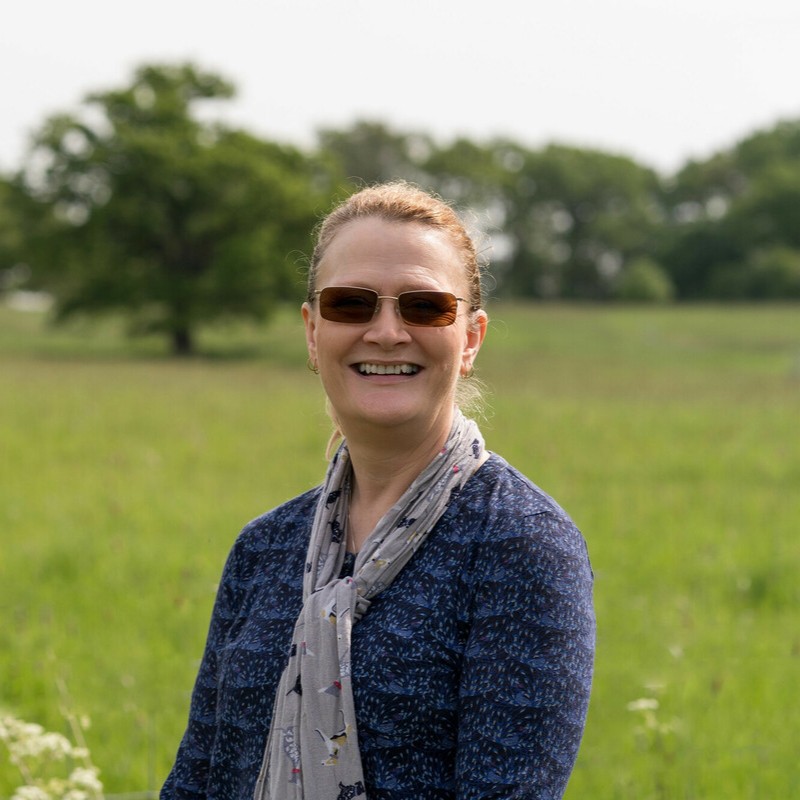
43	757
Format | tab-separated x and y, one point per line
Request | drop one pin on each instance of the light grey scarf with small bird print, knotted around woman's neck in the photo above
312	749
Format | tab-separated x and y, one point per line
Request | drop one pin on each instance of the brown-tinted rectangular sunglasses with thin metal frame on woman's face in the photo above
352	304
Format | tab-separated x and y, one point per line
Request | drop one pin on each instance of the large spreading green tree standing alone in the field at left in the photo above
173	221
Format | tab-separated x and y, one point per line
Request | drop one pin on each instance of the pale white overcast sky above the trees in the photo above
659	80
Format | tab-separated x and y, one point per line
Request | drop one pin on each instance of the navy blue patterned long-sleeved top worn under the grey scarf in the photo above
471	672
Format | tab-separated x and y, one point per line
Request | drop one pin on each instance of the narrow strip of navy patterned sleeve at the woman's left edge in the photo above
189	775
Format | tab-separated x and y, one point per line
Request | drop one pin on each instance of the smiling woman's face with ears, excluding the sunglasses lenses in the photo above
390	258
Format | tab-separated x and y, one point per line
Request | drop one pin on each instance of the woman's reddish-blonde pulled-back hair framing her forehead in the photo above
399	201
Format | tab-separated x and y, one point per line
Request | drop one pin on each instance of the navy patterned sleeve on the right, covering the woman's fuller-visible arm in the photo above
527	668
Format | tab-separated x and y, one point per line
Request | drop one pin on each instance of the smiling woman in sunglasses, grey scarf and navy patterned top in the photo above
421	625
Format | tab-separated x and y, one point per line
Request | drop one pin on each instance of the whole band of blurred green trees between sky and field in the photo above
137	203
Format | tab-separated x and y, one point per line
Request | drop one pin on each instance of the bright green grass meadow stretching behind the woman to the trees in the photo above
671	435
